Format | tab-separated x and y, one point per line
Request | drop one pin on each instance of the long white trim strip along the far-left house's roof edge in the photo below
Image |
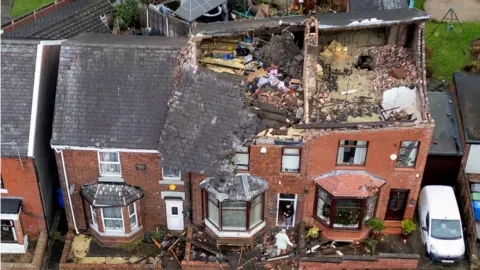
36	93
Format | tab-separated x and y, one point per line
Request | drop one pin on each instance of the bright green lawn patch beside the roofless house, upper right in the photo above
447	55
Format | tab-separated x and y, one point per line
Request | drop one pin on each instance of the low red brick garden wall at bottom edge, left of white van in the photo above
381	261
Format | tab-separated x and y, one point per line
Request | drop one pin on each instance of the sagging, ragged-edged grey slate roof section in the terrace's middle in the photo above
207	119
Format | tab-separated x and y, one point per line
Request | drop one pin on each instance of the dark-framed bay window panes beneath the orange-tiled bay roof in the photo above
344	212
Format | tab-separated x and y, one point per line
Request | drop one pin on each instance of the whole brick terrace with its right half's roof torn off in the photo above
327	115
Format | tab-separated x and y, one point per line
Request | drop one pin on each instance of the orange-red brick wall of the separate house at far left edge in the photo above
22	182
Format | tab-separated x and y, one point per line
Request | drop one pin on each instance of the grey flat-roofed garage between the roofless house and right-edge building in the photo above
446	149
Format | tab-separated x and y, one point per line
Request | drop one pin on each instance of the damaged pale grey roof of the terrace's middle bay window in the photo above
242	187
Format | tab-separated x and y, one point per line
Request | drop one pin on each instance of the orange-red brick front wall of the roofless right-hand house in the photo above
381	144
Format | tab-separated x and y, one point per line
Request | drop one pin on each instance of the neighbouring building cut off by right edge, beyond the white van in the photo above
466	91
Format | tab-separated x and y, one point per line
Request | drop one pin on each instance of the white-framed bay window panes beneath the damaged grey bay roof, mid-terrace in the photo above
235	215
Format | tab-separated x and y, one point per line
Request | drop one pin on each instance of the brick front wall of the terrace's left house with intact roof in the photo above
82	168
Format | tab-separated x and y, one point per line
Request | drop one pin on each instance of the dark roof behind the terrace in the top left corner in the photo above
61	20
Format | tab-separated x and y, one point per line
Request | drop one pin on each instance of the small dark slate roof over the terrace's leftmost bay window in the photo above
109	194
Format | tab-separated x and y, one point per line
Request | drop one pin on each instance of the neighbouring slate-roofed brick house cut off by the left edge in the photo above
28	175
